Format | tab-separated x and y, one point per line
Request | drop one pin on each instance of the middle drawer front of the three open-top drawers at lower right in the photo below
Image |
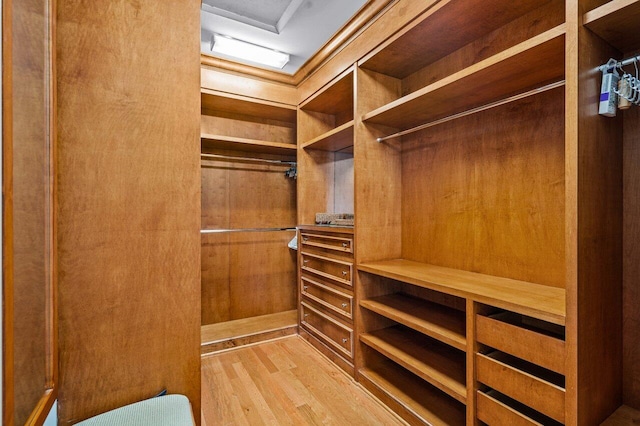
530	390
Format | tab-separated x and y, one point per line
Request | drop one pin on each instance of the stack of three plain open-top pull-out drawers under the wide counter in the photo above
520	370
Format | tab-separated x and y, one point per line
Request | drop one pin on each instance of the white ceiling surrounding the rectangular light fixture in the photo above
297	27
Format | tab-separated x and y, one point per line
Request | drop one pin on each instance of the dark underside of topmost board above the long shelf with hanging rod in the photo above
432	37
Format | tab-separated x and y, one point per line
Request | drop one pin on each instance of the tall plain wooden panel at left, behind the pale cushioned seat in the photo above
128	203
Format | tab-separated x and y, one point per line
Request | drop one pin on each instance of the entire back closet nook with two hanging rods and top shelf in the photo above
248	166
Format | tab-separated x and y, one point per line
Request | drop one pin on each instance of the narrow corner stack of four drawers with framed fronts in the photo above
326	291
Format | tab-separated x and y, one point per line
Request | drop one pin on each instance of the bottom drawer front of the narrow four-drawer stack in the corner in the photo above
328	329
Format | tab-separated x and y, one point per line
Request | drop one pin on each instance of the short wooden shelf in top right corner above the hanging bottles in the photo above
617	23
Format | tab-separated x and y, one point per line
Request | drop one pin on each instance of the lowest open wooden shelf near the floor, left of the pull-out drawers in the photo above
390	382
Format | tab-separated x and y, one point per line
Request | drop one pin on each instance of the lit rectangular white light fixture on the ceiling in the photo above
248	51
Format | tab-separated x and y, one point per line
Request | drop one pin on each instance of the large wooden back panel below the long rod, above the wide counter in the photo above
485	193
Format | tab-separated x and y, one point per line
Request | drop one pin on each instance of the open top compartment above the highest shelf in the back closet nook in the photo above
213	100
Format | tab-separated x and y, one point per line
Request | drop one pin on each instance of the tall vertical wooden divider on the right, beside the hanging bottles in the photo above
593	235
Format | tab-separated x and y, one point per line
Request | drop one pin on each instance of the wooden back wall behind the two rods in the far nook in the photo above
246	274
